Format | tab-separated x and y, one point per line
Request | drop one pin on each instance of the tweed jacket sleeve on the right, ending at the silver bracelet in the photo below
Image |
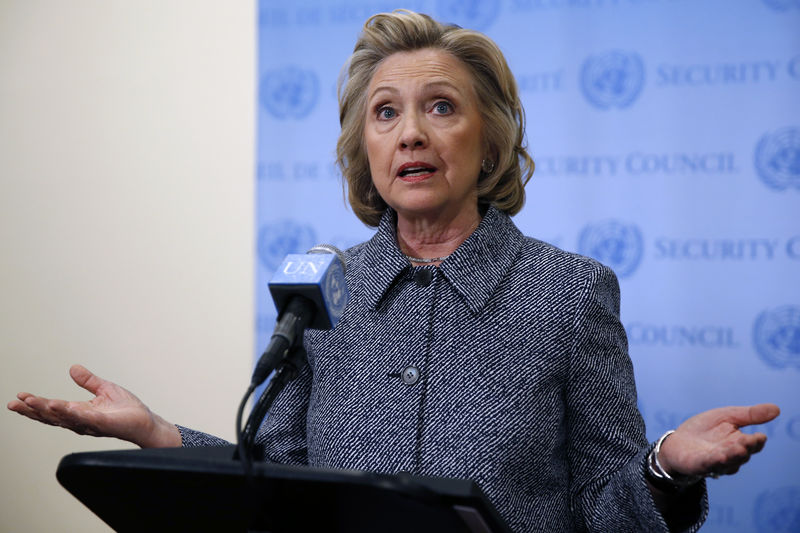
607	447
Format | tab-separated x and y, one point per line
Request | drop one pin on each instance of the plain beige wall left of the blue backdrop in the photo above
126	240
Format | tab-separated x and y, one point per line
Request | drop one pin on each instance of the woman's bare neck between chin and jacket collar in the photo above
425	238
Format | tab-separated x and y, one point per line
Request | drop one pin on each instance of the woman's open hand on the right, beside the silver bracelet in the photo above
710	443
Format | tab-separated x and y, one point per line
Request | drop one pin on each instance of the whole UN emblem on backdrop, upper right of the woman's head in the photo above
613	79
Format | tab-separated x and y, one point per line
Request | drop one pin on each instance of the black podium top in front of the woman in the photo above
205	489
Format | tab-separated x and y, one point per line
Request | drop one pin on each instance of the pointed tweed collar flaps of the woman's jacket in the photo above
474	270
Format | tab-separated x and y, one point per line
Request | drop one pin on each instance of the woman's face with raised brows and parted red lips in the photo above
423	134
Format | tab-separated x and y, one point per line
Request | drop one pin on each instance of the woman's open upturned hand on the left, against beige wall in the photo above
113	412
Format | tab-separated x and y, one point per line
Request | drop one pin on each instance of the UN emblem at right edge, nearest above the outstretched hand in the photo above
776	335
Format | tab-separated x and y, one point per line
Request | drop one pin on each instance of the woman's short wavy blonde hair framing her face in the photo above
501	110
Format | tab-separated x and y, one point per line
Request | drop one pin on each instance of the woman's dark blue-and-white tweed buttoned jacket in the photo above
506	365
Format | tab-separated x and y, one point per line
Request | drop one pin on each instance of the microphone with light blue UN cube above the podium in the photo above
309	291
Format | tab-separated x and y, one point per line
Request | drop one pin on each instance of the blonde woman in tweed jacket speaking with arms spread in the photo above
467	350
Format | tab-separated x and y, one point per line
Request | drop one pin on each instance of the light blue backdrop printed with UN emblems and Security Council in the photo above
666	135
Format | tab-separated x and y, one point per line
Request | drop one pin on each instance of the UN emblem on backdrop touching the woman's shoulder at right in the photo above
613	243
